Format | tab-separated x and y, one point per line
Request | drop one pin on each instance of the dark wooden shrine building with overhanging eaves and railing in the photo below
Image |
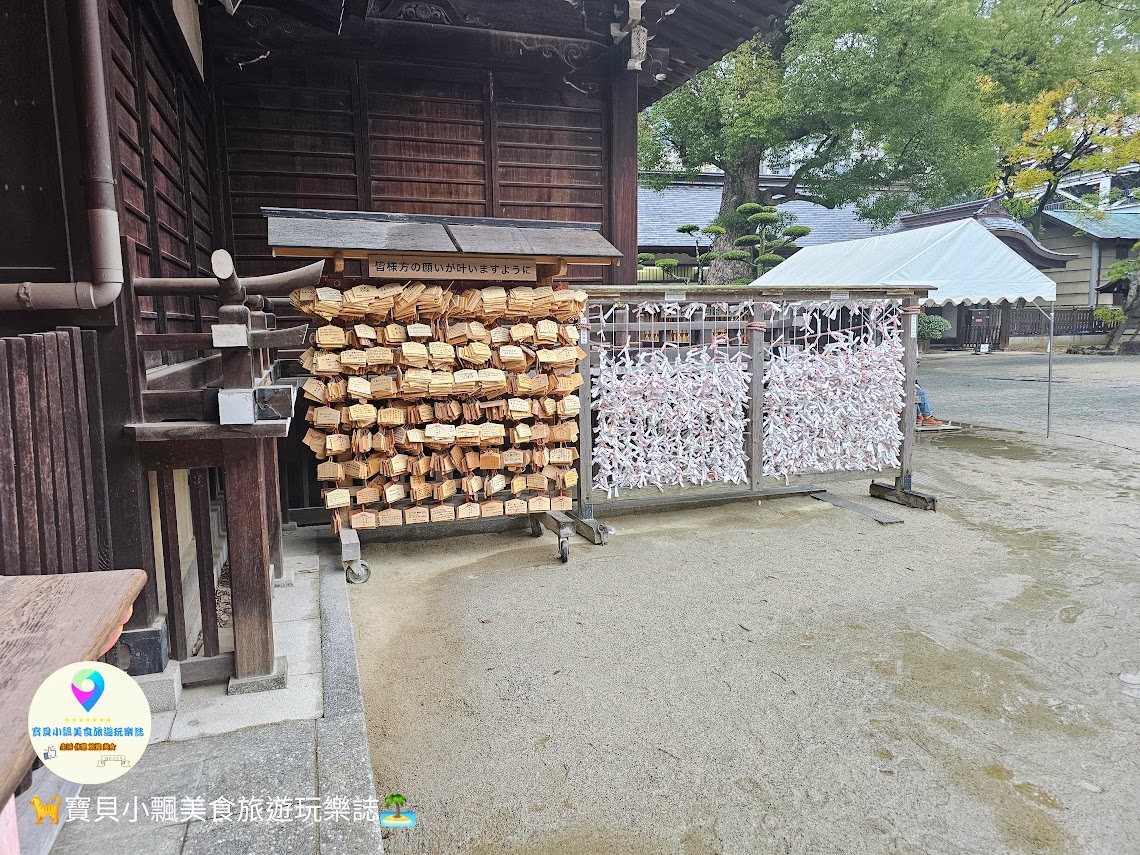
142	137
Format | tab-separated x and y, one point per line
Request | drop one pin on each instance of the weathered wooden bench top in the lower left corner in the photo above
46	623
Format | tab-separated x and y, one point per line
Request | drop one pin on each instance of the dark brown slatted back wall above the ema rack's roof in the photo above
306	132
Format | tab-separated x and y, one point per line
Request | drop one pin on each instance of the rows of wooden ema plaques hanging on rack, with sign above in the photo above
439	402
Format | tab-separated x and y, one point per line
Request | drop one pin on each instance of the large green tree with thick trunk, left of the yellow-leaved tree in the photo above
877	104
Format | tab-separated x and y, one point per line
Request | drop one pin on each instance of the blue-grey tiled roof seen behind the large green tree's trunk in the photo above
698	202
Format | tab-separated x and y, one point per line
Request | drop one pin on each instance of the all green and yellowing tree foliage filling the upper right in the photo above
909	104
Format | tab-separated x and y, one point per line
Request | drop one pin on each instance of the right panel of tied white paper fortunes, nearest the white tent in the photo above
835	406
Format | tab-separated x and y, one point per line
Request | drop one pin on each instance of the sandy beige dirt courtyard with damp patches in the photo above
791	678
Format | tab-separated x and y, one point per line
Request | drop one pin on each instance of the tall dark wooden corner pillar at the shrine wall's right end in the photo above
622	221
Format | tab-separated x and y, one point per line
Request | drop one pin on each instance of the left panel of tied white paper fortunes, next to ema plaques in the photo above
670	422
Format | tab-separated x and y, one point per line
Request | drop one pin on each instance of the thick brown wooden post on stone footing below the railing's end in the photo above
249	558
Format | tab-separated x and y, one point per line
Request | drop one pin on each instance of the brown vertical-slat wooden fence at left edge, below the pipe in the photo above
53	474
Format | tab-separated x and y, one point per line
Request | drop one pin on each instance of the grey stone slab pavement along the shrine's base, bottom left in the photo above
304	746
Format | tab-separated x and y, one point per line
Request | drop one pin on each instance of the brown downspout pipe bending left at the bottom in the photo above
99	180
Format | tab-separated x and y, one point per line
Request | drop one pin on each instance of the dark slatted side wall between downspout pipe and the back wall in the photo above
162	145
